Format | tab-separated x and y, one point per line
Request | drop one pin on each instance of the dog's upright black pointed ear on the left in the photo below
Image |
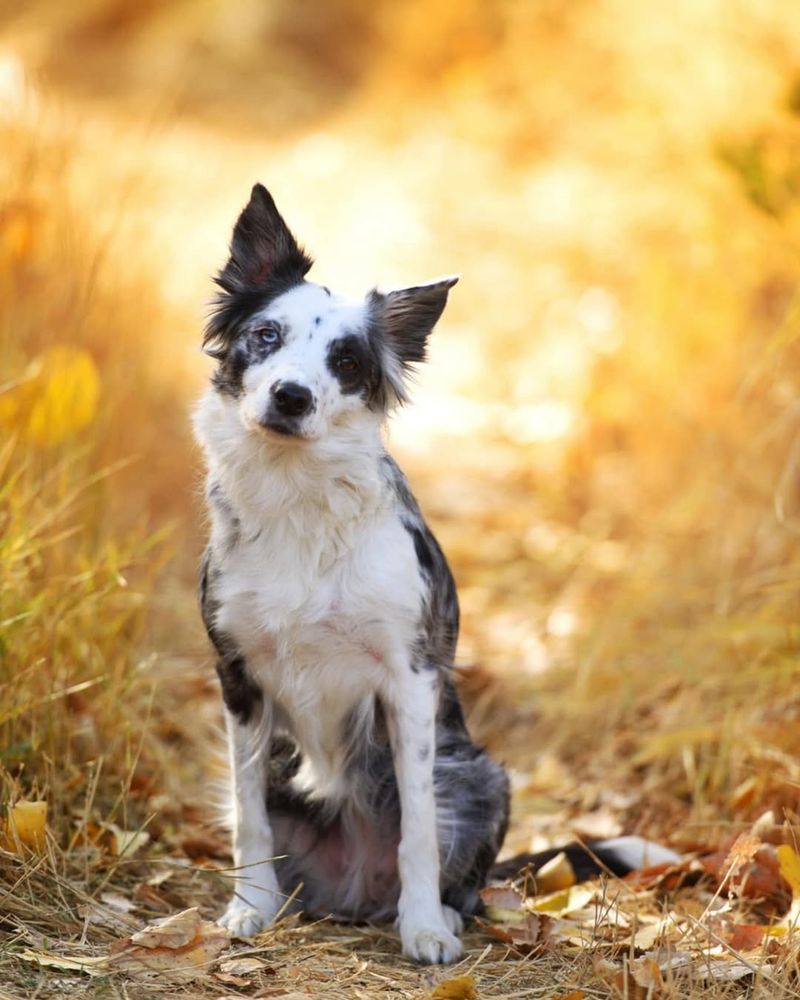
262	248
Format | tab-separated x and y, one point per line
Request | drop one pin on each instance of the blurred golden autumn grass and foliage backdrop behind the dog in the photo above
607	437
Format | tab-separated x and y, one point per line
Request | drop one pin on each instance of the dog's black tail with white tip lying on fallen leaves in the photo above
617	856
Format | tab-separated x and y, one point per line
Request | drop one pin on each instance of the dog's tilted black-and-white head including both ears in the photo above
297	360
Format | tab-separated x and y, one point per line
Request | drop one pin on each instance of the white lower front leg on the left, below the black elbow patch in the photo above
257	897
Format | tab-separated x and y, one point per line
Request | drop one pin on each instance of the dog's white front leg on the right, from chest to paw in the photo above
426	927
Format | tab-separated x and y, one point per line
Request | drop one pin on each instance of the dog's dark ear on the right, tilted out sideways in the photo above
405	318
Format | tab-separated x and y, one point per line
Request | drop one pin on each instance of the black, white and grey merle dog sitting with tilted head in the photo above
357	790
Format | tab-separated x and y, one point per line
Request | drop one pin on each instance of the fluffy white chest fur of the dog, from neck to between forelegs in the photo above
318	586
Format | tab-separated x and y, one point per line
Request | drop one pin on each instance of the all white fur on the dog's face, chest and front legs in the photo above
322	595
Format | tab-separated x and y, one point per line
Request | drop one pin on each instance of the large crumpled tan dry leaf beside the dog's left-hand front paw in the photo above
178	947
